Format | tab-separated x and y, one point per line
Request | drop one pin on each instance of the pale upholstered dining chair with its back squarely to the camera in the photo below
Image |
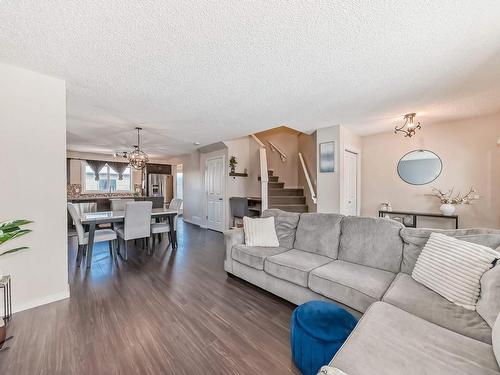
137	224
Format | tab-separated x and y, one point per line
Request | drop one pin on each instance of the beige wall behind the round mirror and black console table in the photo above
470	155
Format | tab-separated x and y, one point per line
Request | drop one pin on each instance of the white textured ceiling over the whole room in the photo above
205	71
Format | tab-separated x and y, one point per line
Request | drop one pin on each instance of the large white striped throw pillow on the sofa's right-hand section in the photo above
453	268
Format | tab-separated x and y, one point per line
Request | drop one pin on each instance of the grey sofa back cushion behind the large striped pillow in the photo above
416	238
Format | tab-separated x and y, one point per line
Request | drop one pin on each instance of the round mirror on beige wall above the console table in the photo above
419	167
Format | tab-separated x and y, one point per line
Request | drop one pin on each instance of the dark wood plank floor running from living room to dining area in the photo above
173	313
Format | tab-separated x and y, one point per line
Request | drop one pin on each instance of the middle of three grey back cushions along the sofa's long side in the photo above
319	233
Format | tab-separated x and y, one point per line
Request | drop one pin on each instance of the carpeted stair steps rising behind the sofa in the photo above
292	200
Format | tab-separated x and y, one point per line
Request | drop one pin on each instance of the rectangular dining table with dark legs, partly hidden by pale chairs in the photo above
92	219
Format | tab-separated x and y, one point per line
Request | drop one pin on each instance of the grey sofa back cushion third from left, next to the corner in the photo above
372	242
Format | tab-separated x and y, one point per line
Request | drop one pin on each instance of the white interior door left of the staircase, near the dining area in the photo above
215	193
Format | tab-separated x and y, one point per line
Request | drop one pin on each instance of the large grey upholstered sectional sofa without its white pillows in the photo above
365	265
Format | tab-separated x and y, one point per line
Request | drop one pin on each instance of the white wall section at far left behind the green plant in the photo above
33	186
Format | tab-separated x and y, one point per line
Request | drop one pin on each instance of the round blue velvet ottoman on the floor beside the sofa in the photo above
318	329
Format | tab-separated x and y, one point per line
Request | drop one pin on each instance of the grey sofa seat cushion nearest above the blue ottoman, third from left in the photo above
352	284
